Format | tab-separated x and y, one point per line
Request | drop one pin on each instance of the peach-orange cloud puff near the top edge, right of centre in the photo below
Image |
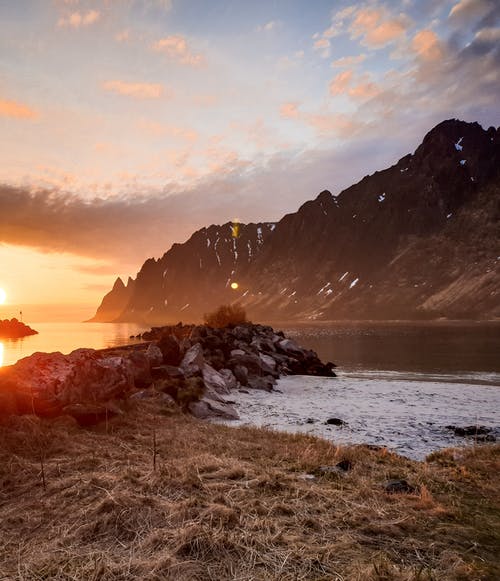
376	27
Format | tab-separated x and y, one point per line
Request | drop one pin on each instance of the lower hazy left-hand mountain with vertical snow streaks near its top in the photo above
192	277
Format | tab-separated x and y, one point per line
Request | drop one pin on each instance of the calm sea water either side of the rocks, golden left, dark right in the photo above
426	348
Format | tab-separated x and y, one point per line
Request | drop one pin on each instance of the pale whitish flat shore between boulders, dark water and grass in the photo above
408	415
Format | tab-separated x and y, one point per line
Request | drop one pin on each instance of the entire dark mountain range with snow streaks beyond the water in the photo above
417	240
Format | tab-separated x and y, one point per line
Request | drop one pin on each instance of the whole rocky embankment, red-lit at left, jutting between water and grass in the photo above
193	366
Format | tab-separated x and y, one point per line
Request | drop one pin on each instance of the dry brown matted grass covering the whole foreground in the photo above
216	502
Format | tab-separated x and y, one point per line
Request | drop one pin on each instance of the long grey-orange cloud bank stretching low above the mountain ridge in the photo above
130	229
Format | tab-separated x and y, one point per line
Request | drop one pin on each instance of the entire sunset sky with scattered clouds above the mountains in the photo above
125	125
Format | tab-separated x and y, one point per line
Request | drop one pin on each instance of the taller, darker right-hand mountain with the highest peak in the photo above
417	240
